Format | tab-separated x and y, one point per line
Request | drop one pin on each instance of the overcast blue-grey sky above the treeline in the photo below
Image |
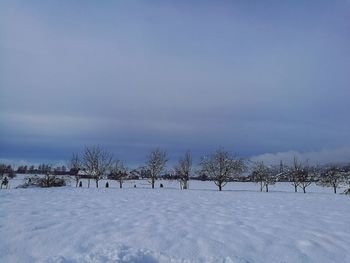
262	79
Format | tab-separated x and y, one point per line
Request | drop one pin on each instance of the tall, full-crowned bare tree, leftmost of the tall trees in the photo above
96	162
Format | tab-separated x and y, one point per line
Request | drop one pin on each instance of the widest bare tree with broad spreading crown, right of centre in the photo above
221	167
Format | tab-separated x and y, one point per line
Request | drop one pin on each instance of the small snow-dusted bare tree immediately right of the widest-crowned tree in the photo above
264	175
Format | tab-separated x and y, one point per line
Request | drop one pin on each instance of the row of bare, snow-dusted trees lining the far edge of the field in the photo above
220	167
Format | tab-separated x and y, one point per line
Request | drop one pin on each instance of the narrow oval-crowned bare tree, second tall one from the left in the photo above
156	162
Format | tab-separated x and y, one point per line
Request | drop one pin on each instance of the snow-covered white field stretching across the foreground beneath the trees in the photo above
169	225
